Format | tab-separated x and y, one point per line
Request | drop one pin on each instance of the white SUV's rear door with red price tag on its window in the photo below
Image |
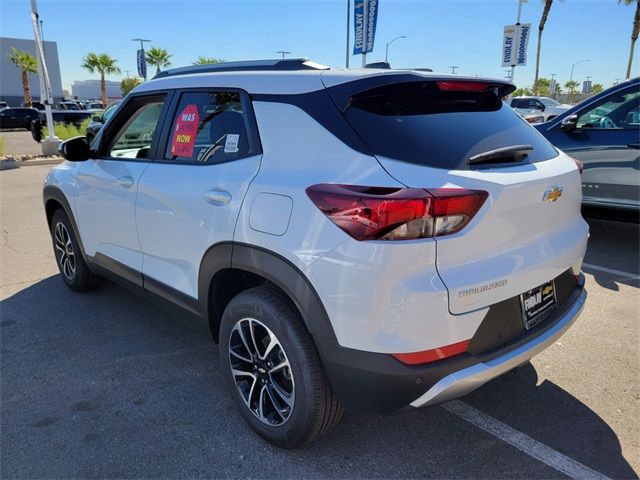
189	197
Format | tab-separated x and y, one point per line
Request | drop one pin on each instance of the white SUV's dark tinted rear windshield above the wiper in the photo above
418	123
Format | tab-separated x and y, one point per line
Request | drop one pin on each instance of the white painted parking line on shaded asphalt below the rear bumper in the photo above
522	442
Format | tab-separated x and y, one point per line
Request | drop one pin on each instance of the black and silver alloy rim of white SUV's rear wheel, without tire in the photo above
261	371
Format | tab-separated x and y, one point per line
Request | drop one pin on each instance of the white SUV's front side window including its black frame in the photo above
135	128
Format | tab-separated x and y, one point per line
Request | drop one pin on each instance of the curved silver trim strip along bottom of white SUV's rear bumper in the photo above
468	379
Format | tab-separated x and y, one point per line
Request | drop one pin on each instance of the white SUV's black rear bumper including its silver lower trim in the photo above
377	383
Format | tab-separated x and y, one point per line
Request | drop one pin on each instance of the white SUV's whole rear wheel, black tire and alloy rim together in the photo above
273	370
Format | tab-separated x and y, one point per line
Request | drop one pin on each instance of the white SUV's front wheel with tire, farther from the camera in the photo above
73	269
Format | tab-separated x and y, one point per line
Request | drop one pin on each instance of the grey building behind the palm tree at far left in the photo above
11	76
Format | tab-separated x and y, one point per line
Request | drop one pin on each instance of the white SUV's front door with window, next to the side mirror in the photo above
108	184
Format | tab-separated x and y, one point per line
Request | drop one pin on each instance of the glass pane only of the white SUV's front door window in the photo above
134	139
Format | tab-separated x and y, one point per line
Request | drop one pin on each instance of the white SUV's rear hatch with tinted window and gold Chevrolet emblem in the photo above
452	132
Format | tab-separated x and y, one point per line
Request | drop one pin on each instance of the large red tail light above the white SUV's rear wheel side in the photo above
383	213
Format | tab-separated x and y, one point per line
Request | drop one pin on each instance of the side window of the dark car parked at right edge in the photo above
616	111
